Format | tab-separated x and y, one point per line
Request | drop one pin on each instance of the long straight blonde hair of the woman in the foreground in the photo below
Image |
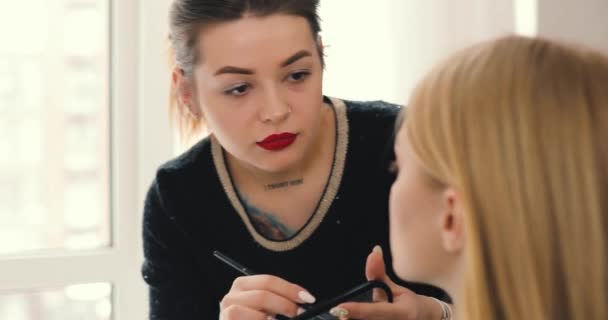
517	126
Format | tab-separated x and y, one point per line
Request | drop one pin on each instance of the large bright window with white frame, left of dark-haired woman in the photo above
70	192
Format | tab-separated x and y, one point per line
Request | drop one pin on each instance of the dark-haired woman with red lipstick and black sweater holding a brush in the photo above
290	183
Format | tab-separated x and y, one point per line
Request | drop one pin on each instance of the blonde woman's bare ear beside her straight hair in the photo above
452	222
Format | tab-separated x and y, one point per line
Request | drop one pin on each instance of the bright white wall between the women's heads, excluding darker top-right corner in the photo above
380	51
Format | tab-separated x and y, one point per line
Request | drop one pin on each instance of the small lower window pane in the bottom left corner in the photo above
85	301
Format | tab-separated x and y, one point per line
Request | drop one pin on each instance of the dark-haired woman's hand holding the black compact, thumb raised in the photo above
407	305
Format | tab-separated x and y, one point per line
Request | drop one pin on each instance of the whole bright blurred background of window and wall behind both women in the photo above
84	123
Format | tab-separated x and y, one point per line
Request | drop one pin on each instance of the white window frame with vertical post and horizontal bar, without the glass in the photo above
140	140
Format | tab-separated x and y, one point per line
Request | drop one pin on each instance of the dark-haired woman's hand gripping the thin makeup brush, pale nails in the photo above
262	297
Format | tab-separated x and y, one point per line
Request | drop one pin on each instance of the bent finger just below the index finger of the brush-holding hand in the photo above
262	301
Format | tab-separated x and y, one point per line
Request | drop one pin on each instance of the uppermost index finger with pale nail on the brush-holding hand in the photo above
275	285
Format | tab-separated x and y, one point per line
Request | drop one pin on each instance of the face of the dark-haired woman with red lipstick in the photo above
258	77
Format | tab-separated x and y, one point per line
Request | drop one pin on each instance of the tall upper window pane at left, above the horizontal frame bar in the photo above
54	120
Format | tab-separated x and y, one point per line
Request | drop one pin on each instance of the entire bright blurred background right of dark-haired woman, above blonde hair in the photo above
379	51
